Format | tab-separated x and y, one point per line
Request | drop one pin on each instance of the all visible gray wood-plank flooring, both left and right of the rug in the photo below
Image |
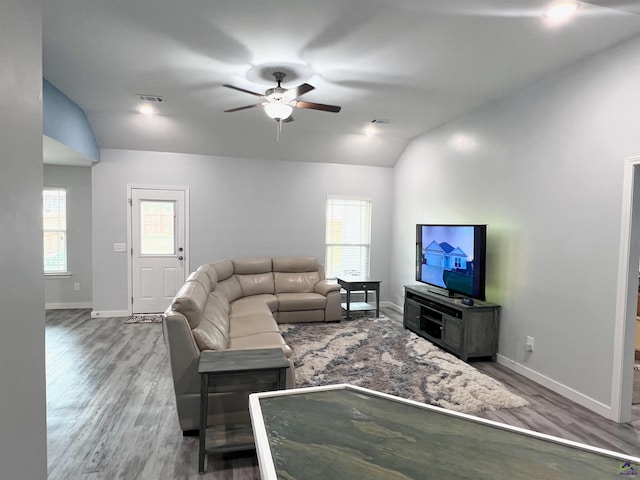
111	409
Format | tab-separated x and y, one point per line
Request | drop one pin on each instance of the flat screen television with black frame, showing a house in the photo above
452	258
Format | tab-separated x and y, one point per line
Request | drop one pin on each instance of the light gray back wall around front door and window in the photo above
238	207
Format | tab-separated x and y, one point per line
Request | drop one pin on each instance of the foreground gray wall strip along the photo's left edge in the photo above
23	441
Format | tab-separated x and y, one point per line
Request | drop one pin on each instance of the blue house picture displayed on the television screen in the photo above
447	257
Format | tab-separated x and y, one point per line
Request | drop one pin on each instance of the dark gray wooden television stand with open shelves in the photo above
466	331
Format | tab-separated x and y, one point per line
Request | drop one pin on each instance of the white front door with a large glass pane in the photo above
158	247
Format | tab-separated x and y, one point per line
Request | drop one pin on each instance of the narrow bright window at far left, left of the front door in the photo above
54	215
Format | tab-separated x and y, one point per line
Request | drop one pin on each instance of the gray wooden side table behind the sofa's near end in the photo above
266	367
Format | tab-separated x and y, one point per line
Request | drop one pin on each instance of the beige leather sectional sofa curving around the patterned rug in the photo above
237	304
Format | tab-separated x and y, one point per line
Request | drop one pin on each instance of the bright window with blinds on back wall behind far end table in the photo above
348	238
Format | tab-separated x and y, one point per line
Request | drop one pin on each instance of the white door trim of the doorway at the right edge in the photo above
626	304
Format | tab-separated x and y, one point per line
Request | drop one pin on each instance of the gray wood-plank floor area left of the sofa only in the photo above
111	409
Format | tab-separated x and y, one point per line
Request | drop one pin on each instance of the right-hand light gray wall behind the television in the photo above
545	174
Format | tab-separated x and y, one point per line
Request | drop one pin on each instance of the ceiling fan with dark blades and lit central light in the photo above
279	102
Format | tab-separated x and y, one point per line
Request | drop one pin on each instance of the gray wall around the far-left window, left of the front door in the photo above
59	292
